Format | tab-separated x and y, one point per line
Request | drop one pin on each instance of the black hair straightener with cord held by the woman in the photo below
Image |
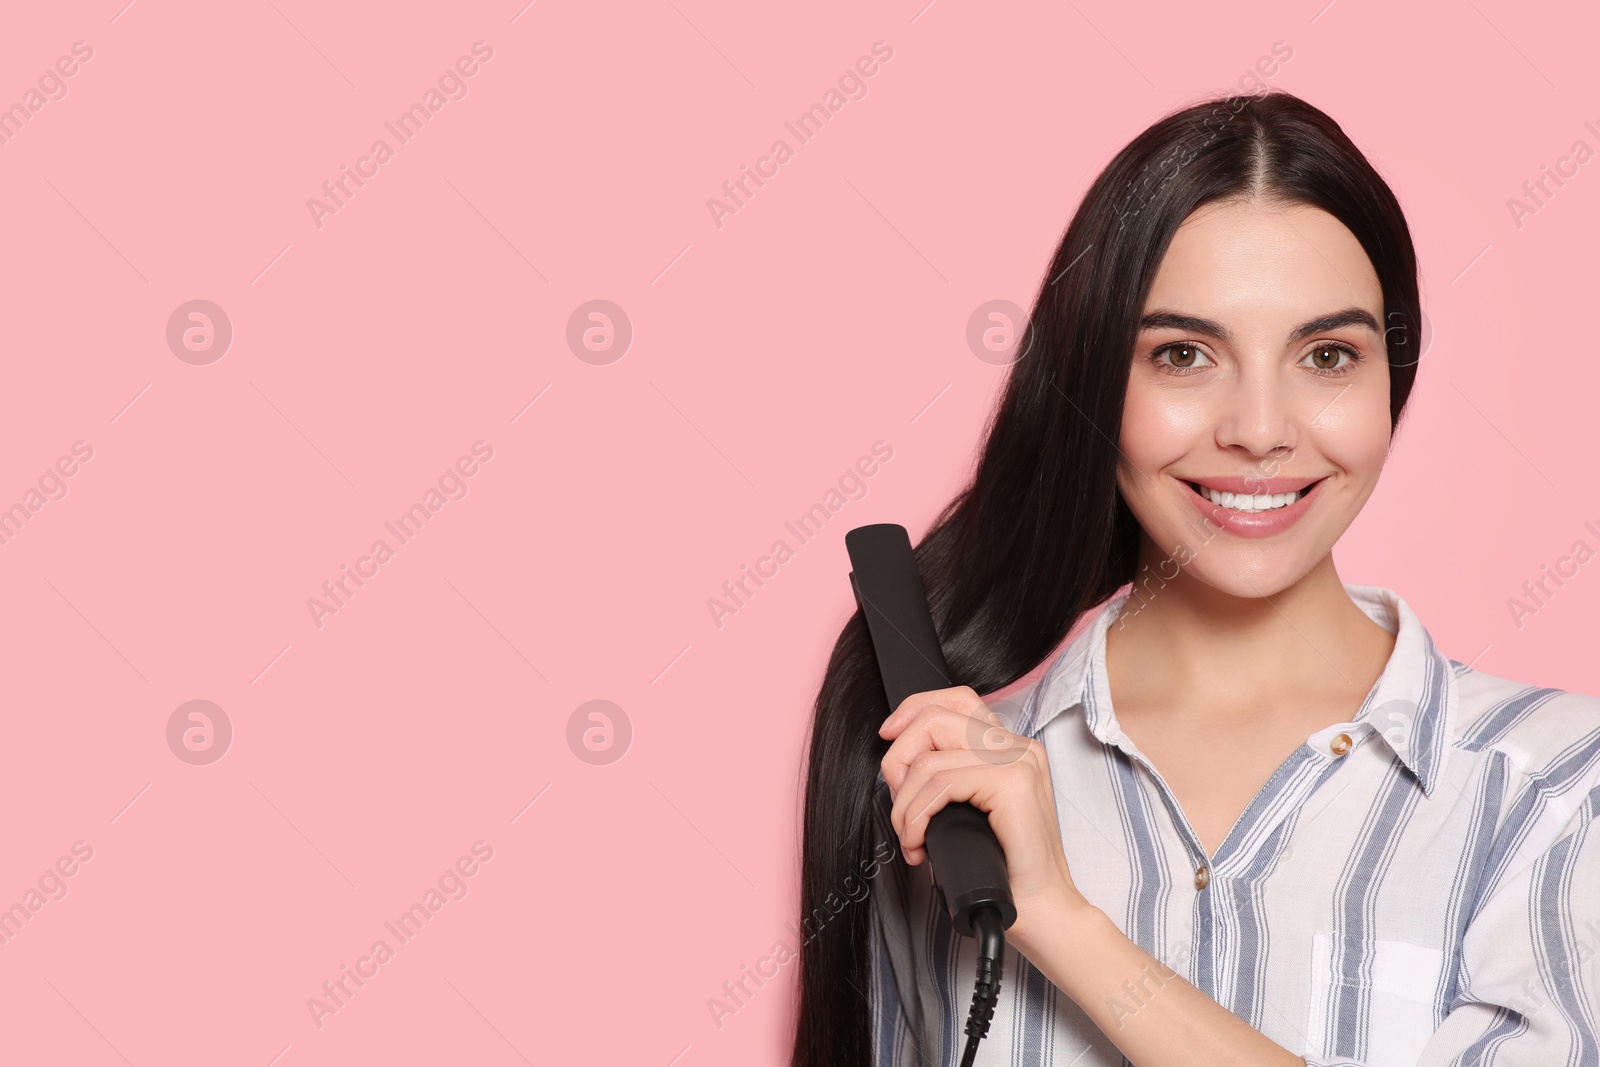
967	861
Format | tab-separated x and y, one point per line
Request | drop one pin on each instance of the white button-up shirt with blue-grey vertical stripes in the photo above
1415	887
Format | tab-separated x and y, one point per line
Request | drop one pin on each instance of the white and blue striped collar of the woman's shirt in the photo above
1409	709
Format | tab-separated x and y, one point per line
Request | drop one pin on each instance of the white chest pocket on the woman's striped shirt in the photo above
1374	986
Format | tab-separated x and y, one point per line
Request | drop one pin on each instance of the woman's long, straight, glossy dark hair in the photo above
1041	533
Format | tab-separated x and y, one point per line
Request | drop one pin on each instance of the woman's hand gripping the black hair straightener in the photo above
950	746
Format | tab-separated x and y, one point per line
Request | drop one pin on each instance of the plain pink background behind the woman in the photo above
769	354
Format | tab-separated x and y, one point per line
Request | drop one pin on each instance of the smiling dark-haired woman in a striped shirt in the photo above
1250	813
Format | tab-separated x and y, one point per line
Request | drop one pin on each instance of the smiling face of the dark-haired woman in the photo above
1260	370
